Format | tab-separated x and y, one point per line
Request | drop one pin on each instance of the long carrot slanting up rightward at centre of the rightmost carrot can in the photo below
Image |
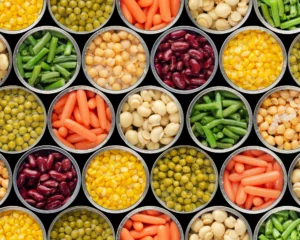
260	179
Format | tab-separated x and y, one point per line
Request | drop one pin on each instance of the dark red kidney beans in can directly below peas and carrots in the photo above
46	179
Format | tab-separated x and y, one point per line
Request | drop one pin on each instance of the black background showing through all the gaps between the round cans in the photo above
184	139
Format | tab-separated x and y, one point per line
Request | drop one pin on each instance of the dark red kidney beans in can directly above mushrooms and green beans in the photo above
184	60
